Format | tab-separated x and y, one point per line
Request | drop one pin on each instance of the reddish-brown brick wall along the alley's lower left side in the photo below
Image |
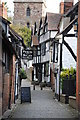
8	86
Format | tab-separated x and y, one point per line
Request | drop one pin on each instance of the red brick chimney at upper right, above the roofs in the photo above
66	5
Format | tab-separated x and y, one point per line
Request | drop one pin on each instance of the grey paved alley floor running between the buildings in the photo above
43	105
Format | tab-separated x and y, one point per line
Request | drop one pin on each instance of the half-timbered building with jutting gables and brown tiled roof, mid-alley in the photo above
43	52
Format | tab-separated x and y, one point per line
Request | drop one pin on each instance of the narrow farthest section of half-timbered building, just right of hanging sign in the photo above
36	56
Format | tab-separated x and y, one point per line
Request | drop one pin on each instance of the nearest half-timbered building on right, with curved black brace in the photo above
66	45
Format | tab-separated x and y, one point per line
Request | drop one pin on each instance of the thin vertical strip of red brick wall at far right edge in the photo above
78	63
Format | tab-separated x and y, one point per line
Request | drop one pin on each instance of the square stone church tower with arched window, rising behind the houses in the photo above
27	12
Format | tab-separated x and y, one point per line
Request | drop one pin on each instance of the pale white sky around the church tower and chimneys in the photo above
52	5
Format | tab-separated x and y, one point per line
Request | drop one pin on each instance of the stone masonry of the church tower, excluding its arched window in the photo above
20	16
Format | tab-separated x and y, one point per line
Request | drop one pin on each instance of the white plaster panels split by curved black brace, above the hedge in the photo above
67	59
